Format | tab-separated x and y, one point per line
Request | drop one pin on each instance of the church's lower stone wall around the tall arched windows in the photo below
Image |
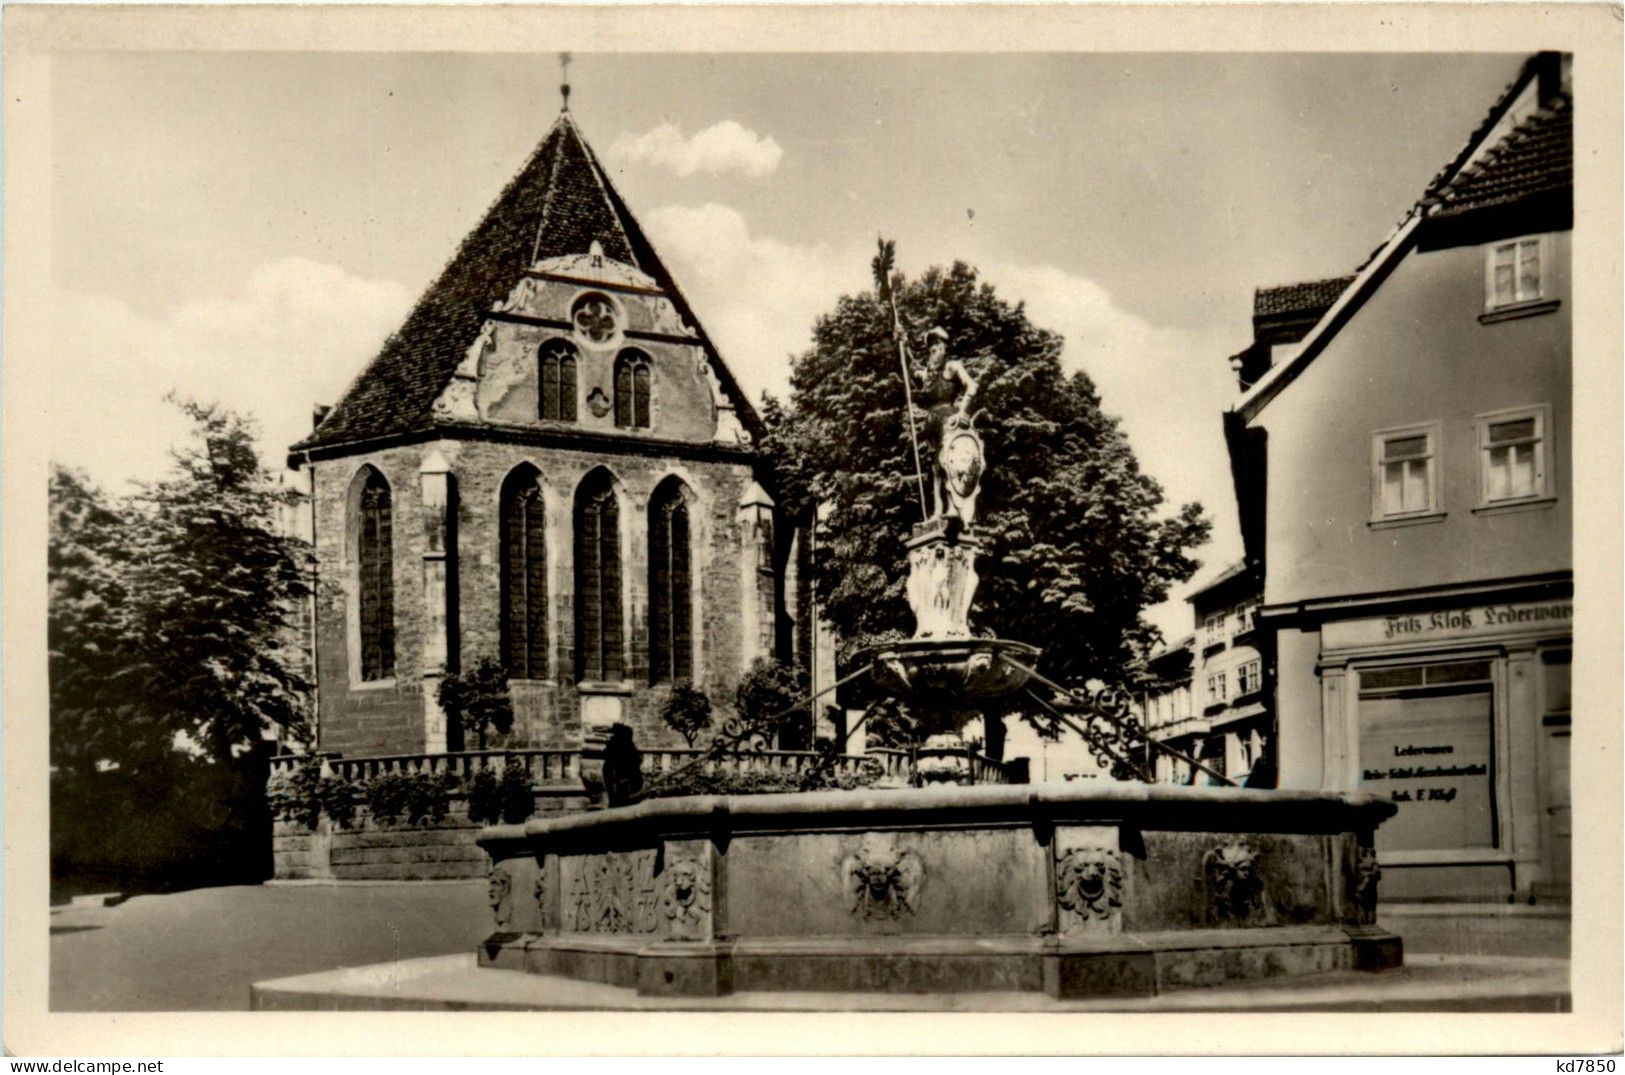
399	715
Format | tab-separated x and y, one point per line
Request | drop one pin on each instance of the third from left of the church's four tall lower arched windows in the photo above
597	581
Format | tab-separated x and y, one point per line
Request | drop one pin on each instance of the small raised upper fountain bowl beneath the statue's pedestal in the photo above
948	673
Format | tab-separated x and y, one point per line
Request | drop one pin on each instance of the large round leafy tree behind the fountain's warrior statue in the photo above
1077	543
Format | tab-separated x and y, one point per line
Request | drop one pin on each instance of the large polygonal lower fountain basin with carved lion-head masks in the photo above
1068	889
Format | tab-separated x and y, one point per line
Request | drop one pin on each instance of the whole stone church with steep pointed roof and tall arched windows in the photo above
548	465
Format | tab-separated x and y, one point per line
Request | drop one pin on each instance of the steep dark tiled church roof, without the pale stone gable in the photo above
560	204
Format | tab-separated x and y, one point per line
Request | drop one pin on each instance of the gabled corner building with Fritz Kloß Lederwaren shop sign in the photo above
1405	486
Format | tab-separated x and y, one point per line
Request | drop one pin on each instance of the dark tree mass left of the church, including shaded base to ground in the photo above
171	655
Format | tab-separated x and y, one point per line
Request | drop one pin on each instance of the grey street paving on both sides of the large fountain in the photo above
201	951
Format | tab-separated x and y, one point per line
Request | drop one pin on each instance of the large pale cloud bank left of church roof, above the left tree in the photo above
292	335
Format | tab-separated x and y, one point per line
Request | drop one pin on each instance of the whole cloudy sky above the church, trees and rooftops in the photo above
248	228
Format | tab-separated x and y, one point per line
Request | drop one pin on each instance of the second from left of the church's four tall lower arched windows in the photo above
524	576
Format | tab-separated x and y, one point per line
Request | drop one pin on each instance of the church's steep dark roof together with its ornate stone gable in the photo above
469	353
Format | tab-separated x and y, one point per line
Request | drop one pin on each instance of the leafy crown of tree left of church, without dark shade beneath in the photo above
171	611
